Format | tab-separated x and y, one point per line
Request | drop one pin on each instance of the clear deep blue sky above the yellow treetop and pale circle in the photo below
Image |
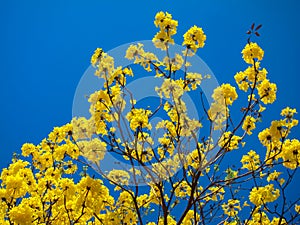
45	47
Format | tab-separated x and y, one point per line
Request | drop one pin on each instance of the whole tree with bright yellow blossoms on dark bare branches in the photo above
178	177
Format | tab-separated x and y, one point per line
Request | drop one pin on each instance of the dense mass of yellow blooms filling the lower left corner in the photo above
46	194
